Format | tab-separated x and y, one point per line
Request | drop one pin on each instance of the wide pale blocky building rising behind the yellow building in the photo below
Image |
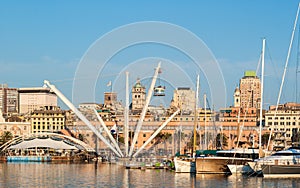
33	98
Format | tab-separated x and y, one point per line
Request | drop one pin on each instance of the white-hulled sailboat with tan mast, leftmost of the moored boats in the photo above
188	164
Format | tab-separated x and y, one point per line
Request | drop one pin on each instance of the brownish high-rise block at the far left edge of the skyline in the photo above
8	100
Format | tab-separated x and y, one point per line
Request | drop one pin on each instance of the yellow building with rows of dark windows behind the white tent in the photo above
47	119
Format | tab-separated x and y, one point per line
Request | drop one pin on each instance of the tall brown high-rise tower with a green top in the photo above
250	90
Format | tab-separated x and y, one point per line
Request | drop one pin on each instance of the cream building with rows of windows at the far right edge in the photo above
285	123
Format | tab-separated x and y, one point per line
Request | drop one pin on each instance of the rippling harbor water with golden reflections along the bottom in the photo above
111	175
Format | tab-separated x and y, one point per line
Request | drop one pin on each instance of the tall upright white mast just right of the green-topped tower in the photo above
262	90
